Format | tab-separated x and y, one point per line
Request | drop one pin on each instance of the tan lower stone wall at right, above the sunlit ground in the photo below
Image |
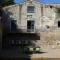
50	39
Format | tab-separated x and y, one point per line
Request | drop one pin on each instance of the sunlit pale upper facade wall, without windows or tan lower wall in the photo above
43	15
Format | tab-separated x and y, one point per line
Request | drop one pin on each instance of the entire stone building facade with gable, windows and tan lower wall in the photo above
32	17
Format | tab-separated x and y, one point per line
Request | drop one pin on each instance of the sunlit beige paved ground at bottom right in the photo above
50	53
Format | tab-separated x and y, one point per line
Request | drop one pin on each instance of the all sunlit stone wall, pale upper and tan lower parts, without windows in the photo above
44	18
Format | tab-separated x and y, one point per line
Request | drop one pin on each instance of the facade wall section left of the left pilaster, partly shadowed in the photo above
12	13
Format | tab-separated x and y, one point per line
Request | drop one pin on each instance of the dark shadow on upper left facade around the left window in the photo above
9	24
